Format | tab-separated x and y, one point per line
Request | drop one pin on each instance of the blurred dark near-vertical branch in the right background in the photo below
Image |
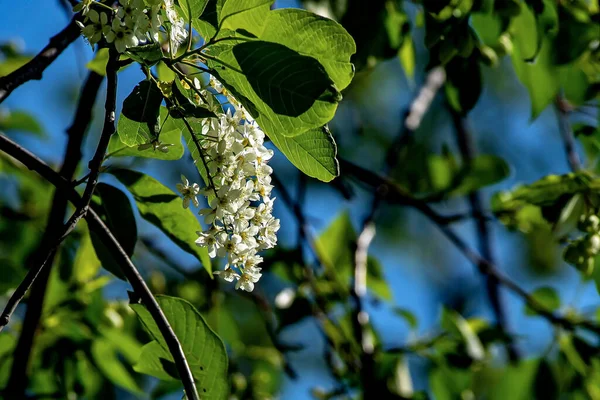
467	150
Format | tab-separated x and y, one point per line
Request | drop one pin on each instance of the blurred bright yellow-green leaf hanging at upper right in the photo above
540	77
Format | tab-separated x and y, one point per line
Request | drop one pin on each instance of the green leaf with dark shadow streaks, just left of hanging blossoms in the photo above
163	208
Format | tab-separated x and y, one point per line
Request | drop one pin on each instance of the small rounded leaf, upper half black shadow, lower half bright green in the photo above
139	119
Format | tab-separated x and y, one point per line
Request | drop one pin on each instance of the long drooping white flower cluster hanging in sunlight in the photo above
240	216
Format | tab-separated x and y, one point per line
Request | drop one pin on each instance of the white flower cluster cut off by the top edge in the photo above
133	22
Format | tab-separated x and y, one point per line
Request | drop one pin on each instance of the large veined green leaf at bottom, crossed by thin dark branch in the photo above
203	349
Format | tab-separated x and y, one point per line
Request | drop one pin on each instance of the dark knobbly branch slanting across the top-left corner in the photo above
34	68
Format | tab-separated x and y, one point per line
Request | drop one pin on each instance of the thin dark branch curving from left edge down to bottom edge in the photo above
131	273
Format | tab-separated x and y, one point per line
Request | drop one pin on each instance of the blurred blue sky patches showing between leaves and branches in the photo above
422	268
